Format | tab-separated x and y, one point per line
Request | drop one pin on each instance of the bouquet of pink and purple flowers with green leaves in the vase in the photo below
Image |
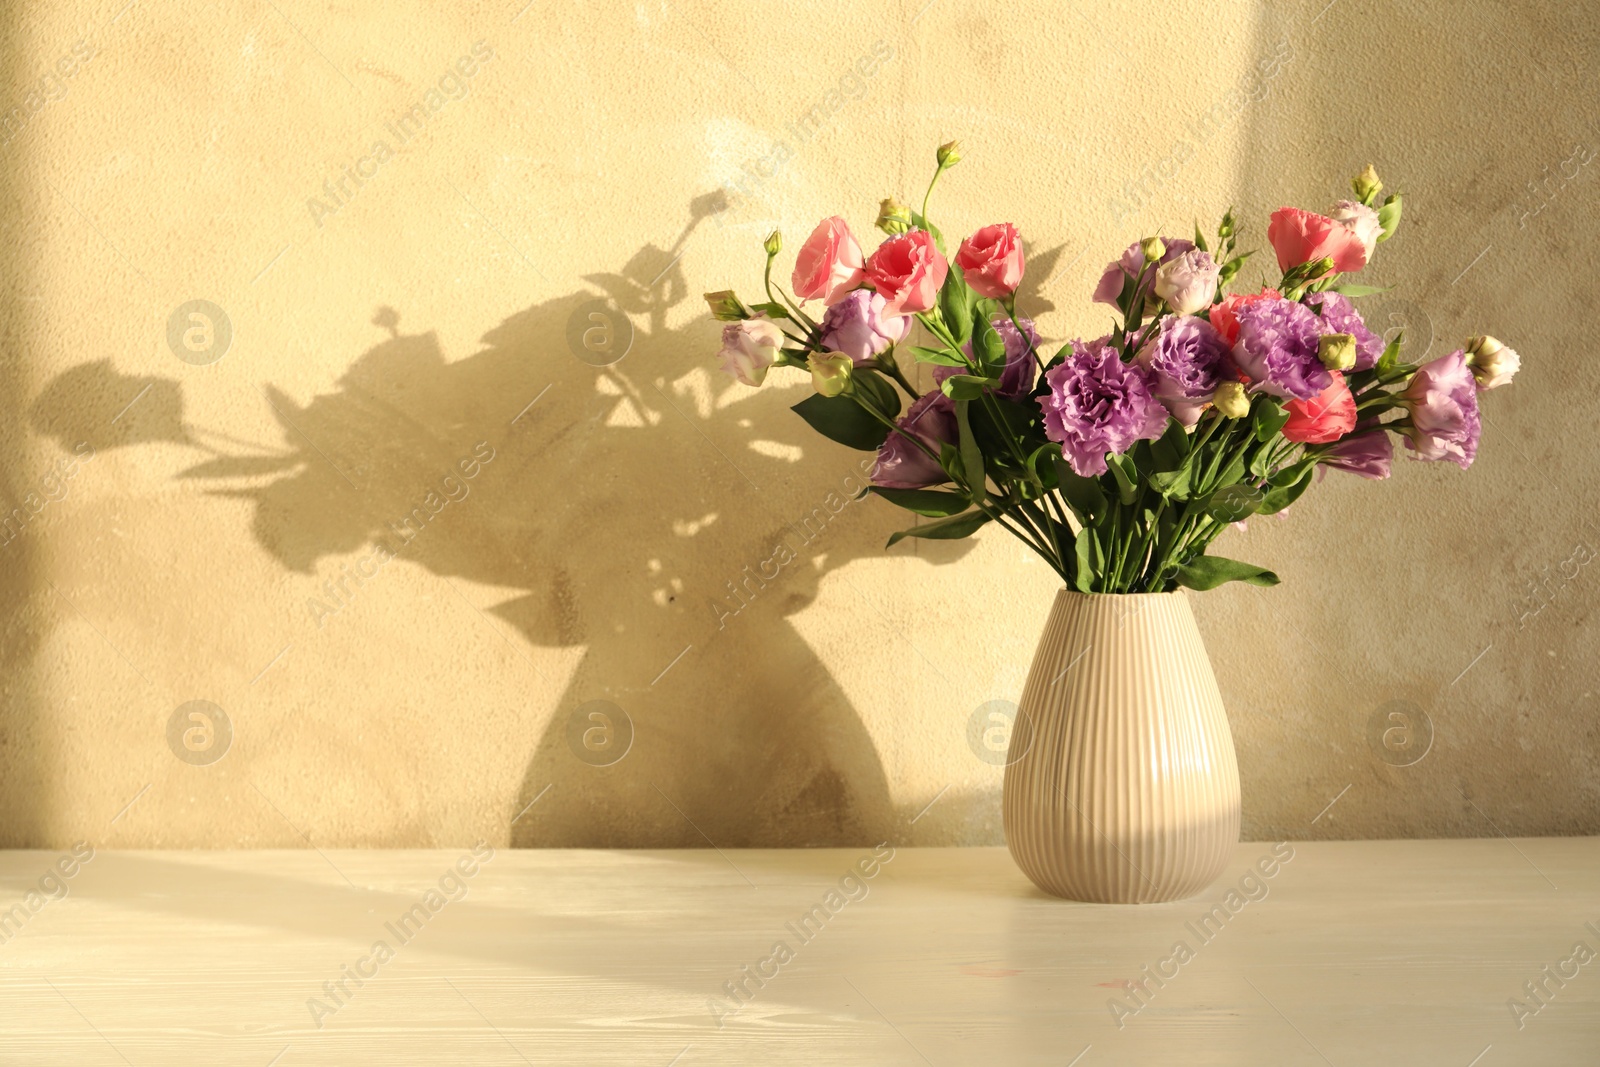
1118	460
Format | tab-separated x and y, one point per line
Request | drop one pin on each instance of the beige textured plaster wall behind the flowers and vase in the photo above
393	332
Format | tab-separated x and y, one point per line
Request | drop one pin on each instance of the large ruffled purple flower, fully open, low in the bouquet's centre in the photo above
1097	406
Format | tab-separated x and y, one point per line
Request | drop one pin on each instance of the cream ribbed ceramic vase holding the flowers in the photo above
1121	785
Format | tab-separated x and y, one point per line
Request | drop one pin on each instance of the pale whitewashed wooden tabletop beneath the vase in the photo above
1350	954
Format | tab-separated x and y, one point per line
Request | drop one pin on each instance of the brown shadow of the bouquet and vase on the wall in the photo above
642	508
